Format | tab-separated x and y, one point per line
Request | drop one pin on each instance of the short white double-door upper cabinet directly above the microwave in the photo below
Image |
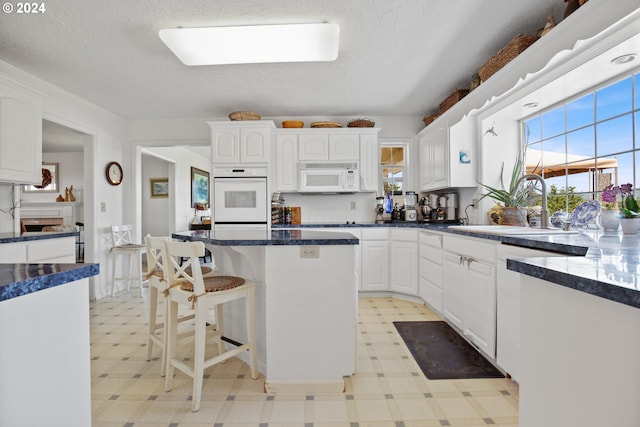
333	147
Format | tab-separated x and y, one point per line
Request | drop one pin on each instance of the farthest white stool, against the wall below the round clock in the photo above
124	248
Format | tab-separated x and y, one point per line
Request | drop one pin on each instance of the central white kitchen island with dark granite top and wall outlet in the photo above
306	302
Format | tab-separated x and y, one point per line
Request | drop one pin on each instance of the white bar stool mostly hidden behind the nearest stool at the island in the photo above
156	275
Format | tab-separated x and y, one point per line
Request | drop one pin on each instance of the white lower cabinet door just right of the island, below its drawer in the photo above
375	265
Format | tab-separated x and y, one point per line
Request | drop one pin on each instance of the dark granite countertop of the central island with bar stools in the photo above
264	237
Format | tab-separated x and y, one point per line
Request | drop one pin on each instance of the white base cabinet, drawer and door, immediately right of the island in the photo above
374	248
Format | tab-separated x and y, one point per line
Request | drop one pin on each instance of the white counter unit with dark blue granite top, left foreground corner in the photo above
44	353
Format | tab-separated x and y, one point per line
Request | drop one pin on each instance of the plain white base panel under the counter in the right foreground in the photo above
579	359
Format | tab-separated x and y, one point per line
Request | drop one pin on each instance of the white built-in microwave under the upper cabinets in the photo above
328	177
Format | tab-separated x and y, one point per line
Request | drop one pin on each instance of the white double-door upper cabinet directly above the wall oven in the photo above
247	142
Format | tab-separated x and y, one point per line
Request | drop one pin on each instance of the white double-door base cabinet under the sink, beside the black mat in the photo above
469	289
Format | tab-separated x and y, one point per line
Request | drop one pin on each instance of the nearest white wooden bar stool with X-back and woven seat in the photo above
188	288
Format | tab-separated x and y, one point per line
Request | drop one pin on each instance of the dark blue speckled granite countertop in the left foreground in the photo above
21	279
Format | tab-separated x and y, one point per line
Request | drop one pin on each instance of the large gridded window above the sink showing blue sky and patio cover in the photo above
586	144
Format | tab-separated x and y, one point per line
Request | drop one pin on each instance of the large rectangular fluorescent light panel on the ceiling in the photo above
253	44
